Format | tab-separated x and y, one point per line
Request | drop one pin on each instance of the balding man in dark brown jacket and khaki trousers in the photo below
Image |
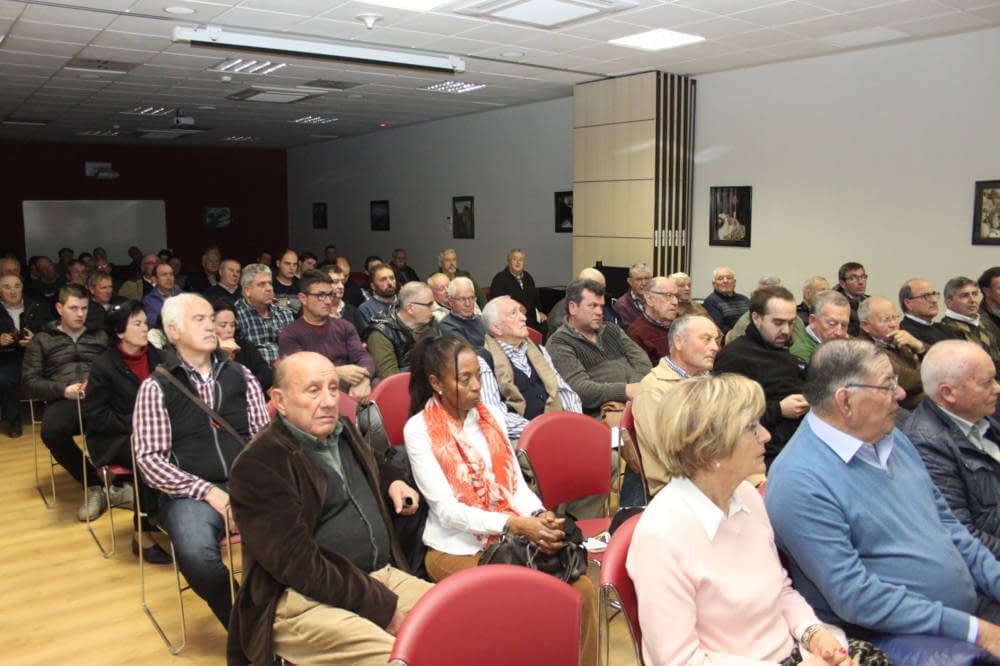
315	513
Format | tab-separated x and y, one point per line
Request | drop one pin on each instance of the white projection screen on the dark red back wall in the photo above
83	225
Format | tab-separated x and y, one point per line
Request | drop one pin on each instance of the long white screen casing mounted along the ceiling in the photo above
218	37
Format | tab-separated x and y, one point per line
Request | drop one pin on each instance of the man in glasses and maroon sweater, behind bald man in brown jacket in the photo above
334	338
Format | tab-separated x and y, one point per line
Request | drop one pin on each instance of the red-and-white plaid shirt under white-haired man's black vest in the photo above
154	439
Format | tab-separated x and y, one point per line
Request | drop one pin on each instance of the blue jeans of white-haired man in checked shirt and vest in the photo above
195	529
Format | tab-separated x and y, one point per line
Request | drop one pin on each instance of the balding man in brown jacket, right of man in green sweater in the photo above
880	324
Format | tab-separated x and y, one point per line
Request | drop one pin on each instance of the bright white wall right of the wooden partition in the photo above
869	156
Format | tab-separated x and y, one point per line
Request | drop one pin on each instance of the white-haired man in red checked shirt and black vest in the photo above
186	455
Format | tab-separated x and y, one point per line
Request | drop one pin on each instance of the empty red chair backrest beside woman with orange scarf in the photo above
570	454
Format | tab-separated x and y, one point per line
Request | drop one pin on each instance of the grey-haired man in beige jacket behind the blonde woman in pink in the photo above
694	344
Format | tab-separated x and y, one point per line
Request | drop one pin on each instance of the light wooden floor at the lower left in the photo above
61	602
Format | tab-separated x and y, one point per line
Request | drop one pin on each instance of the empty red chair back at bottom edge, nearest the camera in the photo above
498	615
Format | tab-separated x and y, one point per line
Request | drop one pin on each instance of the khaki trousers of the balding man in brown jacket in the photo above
308	632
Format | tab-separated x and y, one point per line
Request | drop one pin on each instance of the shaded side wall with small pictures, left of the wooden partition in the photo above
511	160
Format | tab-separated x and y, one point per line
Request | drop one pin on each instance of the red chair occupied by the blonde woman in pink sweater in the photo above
617	593
